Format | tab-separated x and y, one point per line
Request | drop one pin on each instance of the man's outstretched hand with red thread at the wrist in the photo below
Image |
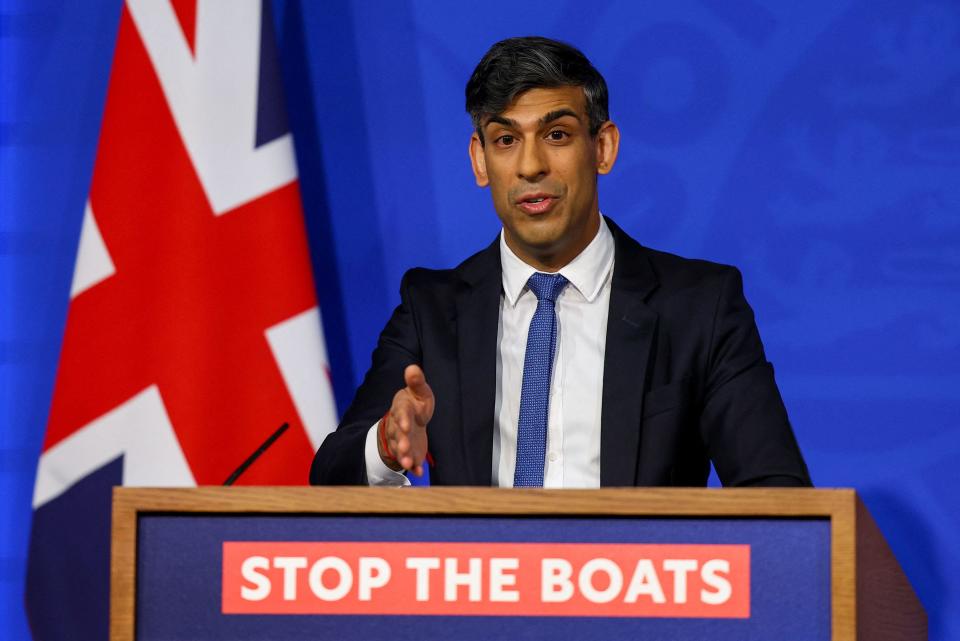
403	433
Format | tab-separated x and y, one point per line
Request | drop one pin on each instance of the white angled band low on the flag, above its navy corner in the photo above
139	430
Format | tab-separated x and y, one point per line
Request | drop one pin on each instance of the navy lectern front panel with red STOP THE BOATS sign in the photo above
212	576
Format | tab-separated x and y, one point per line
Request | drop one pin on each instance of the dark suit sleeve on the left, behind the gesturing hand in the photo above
340	459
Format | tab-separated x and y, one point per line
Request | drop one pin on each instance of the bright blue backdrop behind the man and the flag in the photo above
816	145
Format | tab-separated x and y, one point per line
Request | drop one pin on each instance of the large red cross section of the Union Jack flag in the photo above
192	295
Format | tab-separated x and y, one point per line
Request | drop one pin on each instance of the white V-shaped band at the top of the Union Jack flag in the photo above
213	97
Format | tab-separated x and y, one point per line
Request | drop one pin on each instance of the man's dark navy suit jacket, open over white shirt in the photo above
685	379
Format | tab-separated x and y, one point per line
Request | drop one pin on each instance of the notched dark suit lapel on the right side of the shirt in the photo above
631	326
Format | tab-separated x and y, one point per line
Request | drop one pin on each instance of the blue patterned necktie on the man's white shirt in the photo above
535	391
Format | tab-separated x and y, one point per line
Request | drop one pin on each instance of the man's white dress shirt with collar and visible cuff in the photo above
576	389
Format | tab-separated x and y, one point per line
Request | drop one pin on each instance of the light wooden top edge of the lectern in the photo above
799	502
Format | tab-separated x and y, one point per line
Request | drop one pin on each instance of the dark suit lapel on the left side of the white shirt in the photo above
478	315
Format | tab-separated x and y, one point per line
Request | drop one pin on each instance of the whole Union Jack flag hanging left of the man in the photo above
193	328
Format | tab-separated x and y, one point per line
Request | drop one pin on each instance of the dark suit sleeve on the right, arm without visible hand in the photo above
744	421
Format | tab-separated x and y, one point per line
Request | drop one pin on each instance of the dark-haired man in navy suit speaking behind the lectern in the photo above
564	354
